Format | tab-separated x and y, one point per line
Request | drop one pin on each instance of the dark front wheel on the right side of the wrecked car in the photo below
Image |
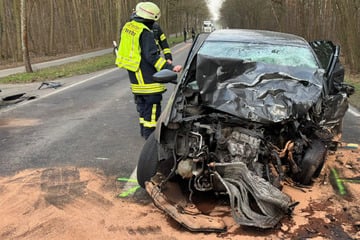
312	162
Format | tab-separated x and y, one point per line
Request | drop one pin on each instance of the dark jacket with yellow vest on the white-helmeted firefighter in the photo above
138	54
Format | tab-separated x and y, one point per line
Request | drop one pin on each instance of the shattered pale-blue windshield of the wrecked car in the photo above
285	55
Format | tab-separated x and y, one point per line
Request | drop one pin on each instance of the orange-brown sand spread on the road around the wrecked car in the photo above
80	203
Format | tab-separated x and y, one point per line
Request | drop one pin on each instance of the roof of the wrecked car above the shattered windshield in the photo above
256	36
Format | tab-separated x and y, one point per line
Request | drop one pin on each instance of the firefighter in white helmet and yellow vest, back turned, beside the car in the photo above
139	54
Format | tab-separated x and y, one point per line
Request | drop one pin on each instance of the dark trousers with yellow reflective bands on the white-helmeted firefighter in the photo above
149	109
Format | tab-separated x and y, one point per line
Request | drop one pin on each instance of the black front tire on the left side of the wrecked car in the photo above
148	161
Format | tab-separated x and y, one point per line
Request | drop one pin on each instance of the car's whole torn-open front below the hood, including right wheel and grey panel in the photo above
214	151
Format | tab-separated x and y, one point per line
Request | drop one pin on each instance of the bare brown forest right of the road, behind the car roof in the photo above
336	20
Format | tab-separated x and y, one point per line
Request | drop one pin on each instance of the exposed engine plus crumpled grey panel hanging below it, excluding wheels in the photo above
214	153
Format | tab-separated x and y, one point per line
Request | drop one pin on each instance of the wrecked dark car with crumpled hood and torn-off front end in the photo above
251	110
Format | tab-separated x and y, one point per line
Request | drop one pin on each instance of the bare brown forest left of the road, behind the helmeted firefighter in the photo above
57	27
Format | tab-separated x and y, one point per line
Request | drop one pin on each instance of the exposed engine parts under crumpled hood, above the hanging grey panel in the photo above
203	146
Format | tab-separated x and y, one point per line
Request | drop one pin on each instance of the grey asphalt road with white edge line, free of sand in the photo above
90	121
